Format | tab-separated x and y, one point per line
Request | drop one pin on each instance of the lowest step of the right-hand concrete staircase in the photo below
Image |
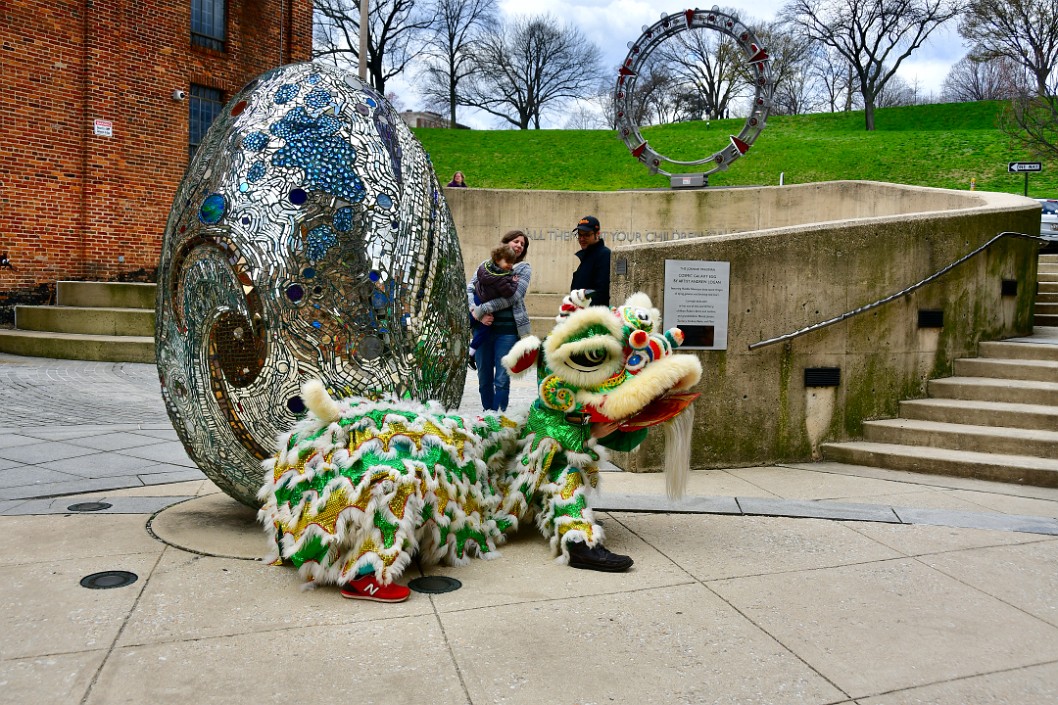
1020	469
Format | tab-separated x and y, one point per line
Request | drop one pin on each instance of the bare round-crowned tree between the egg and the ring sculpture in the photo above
527	65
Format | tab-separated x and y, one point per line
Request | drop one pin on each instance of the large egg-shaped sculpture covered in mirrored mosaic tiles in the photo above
308	240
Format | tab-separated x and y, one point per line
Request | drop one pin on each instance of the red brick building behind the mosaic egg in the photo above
101	103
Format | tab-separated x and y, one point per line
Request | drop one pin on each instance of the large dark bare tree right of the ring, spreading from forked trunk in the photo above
872	37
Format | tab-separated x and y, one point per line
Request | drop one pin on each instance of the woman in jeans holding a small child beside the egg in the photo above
497	299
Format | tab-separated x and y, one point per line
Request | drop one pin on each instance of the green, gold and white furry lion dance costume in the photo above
362	486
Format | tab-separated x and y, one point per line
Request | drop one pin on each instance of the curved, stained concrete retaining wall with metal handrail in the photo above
799	256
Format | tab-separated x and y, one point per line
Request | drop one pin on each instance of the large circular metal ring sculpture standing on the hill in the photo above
650	41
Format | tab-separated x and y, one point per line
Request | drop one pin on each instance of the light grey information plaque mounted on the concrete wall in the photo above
697	296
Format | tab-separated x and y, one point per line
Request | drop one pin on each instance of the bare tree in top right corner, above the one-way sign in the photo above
1023	31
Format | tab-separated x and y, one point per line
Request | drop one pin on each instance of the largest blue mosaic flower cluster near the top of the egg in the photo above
315	147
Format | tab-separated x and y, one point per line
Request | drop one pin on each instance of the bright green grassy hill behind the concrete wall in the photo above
932	146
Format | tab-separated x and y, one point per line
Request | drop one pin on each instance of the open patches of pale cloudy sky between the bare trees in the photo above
612	24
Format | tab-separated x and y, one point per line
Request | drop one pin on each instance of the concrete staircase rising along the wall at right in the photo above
996	420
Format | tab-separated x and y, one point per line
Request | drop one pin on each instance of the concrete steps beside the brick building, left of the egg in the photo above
110	322
